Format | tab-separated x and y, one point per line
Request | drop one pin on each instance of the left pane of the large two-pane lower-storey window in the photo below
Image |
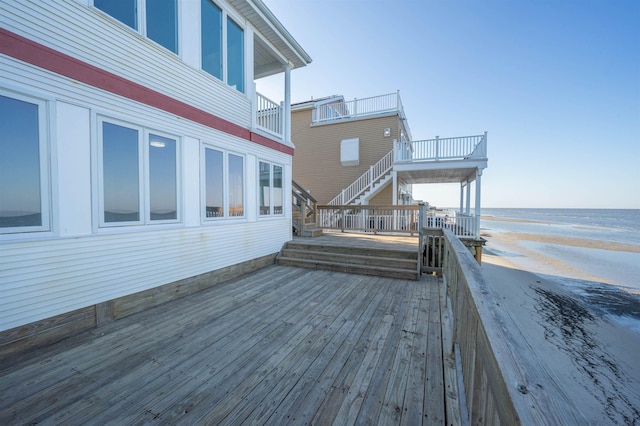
120	168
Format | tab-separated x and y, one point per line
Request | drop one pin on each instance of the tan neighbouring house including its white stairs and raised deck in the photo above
361	152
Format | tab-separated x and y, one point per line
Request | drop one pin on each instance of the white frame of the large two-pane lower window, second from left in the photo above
144	199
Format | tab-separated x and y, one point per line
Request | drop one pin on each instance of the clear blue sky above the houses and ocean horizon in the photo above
555	83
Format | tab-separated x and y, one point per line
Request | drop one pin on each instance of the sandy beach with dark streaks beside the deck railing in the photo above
571	321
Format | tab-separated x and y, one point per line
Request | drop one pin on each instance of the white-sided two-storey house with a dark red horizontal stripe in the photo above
135	154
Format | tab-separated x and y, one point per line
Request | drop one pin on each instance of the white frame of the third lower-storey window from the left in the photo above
225	184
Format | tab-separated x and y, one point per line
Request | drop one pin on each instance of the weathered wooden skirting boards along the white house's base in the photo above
19	340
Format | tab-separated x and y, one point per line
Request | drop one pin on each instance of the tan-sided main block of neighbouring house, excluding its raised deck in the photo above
339	140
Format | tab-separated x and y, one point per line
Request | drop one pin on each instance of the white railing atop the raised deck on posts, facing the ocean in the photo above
464	147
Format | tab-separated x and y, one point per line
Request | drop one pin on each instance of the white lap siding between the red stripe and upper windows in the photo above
114	48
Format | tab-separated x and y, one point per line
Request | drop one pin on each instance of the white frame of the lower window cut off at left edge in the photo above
43	152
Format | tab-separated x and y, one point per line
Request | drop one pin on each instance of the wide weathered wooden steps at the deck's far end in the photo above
385	262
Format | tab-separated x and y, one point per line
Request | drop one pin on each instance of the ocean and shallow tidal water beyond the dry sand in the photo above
613	286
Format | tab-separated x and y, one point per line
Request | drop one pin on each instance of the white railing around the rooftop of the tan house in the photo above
357	108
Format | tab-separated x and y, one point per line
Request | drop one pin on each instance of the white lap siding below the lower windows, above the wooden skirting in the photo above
40	279
